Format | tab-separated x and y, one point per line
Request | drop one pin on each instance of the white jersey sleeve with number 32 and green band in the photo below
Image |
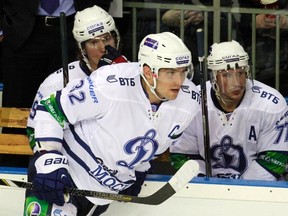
79	100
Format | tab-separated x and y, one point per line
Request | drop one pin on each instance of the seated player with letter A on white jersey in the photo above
247	122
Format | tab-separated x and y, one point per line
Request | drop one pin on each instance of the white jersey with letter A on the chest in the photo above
237	139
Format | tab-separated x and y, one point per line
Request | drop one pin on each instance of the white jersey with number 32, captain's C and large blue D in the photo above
112	128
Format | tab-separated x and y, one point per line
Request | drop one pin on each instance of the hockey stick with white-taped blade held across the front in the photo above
180	179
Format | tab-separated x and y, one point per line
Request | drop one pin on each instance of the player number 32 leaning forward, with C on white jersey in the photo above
97	132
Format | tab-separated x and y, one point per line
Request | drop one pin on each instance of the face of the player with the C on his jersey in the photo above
169	82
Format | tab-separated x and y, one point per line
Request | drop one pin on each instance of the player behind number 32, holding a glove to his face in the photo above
98	40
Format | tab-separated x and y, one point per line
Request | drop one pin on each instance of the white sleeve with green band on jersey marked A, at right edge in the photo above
272	147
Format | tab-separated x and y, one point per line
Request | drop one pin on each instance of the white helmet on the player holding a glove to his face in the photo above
92	22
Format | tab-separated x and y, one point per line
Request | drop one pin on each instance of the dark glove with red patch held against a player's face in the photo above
113	56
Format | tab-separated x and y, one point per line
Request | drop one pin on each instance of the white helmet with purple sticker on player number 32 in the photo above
164	50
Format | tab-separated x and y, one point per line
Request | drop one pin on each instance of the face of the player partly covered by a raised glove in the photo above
95	48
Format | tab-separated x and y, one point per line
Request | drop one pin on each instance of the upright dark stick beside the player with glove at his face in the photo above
64	49
